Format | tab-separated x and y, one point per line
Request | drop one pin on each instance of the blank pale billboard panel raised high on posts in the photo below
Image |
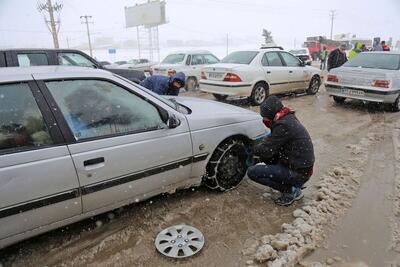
148	14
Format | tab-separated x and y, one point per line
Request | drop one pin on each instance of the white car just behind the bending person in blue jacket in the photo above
188	62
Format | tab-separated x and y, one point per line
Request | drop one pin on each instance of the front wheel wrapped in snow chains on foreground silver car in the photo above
227	166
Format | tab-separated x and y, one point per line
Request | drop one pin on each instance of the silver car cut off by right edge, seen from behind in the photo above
371	76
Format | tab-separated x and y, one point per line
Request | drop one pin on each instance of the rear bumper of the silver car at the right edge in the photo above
365	94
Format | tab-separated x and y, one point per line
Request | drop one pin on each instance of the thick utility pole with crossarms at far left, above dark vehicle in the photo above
52	24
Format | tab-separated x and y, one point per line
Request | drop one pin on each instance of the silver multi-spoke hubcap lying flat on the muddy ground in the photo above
179	241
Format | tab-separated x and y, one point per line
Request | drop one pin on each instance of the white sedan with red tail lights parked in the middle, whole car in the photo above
258	73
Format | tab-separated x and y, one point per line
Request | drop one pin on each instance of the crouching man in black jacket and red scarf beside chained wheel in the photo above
287	152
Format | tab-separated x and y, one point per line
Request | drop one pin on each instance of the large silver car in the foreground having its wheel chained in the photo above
76	142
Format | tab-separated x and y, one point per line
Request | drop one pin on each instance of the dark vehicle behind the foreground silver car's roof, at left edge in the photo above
66	57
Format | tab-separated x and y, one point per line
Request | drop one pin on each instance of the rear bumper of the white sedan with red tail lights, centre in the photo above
230	89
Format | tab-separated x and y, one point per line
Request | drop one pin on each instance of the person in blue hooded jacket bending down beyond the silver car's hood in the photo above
163	85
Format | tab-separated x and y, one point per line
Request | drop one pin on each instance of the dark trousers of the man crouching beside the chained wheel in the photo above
278	177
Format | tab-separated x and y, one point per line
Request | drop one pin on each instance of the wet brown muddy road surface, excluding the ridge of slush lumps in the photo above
234	222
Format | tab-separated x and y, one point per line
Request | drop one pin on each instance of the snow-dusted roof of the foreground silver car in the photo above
15	74
